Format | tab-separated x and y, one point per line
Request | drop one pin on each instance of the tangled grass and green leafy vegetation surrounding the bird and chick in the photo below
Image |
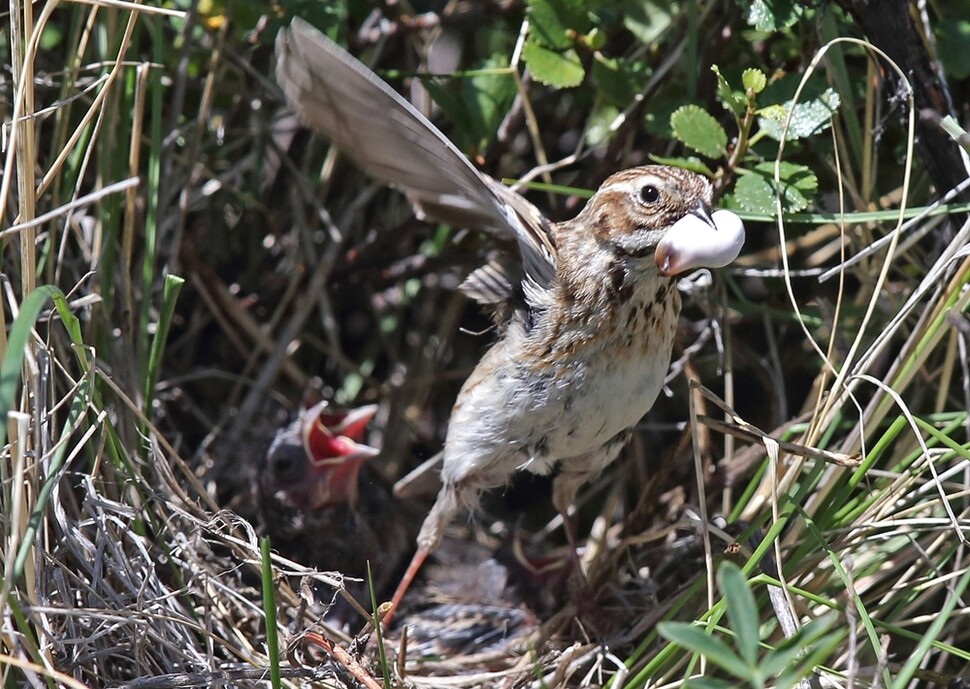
184	267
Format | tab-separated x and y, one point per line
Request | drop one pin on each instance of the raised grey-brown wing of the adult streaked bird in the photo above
336	95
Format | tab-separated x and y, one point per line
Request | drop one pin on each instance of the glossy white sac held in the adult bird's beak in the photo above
700	239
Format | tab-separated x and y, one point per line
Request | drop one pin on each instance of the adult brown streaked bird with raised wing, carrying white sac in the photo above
590	304
